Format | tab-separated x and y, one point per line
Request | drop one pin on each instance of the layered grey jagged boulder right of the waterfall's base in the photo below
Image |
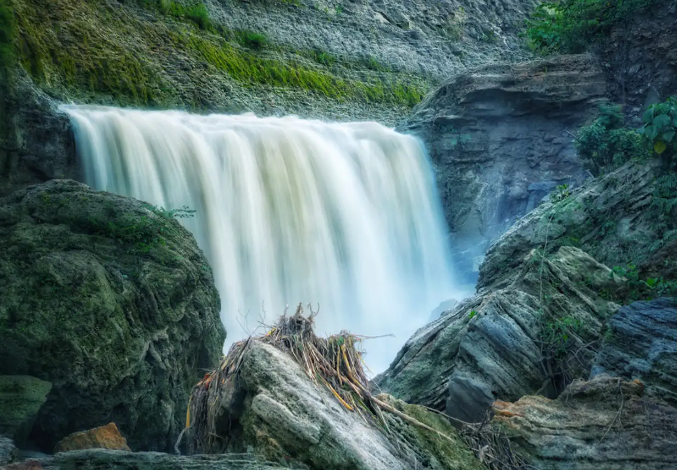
492	346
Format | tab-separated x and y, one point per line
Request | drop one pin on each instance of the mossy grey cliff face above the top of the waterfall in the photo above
331	59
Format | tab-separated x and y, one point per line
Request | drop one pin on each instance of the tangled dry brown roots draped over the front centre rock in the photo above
333	362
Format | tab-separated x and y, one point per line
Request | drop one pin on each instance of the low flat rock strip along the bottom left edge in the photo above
100	459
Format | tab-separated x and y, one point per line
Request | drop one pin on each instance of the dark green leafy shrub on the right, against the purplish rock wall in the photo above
606	144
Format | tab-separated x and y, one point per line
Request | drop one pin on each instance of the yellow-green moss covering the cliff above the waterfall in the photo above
92	51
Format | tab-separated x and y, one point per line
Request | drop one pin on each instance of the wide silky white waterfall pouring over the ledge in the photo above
288	211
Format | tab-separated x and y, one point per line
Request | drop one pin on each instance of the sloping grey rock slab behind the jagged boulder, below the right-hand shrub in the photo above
611	218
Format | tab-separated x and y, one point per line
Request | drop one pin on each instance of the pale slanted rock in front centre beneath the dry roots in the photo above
276	410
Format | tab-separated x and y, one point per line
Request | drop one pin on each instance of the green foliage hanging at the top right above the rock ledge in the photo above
571	26
